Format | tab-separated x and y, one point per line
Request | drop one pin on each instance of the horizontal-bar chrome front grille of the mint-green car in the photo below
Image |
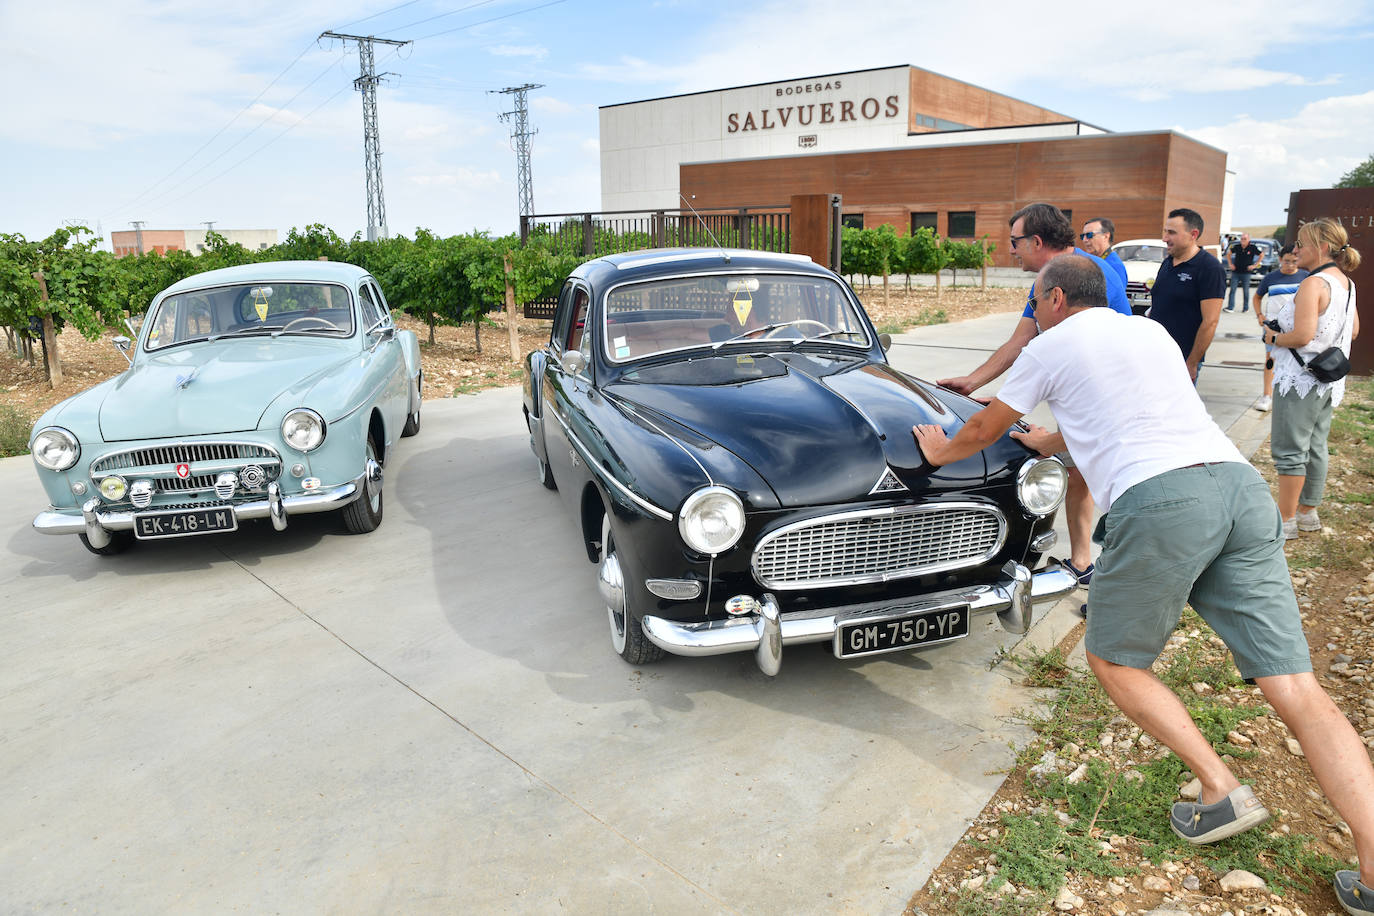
205	461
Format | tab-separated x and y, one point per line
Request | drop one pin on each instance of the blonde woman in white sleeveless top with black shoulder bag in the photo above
1321	317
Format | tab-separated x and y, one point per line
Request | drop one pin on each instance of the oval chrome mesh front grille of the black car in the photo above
877	546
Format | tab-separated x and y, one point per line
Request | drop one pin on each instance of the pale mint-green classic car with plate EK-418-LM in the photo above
258	392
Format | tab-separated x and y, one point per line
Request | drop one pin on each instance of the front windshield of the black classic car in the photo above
729	310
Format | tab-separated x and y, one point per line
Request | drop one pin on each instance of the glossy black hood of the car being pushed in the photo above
817	429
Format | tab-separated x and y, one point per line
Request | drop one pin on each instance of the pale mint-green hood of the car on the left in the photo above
216	387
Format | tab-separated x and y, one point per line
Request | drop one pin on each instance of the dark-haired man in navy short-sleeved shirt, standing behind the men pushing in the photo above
1186	297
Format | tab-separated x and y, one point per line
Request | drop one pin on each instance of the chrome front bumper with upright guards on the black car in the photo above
1012	599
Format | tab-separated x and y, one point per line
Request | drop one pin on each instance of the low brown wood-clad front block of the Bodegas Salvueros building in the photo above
1133	179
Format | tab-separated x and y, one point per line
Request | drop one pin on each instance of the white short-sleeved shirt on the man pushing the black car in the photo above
1123	399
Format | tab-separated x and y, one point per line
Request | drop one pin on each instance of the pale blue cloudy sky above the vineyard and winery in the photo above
179	113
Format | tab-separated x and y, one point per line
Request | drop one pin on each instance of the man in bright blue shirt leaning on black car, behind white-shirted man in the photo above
1039	234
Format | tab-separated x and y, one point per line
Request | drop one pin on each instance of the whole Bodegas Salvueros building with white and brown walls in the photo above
908	148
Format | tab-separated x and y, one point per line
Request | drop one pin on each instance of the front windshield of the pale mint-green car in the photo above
317	310
